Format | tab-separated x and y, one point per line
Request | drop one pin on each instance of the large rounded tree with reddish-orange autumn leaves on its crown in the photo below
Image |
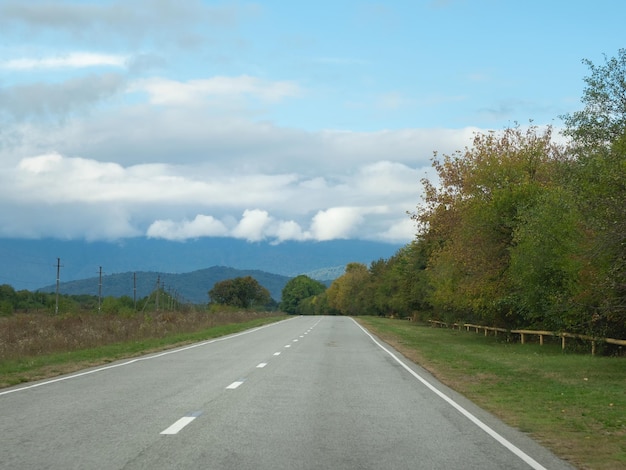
470	220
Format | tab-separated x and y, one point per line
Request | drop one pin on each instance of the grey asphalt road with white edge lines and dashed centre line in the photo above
306	393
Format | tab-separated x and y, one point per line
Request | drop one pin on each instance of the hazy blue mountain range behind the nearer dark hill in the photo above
32	264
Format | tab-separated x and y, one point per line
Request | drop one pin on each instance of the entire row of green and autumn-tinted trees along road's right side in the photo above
523	228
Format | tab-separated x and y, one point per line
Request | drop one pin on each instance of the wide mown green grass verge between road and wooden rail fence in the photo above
573	404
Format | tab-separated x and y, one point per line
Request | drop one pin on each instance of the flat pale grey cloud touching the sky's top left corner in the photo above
165	22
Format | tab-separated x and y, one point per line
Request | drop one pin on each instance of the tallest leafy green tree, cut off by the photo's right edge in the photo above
598	178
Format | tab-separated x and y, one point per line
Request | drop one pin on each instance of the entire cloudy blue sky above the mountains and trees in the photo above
270	120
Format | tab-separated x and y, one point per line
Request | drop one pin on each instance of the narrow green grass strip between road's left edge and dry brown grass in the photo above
27	368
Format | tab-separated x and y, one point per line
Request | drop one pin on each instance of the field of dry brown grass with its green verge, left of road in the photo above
34	346
